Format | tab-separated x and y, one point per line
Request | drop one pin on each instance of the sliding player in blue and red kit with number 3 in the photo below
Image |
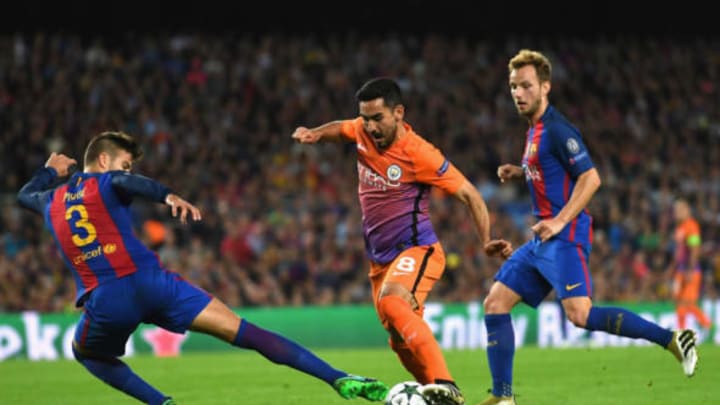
121	283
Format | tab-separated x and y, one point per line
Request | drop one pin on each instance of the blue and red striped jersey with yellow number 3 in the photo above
89	217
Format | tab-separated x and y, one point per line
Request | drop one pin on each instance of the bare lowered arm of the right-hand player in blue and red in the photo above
586	186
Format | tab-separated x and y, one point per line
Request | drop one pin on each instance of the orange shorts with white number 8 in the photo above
417	268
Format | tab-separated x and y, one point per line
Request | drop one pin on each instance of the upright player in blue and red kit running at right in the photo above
562	179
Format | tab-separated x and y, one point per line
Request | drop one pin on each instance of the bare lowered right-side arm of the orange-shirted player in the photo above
471	197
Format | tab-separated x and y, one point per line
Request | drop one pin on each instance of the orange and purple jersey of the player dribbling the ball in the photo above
394	189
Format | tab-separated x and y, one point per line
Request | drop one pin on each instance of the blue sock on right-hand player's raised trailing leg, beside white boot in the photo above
622	322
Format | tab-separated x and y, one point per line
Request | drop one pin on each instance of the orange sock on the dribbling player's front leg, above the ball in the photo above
397	314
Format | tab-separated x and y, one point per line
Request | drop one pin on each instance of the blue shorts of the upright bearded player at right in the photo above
538	267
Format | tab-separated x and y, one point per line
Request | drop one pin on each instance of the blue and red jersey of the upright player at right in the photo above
555	156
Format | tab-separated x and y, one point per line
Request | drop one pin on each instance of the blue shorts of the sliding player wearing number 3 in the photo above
114	310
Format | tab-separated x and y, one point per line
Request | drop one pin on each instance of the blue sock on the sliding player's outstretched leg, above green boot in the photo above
283	351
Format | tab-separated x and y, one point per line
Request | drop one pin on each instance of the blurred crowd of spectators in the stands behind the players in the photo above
281	221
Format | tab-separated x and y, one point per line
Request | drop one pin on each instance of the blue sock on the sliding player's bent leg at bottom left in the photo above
118	375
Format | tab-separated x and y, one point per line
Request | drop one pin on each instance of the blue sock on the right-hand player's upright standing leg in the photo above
500	352
